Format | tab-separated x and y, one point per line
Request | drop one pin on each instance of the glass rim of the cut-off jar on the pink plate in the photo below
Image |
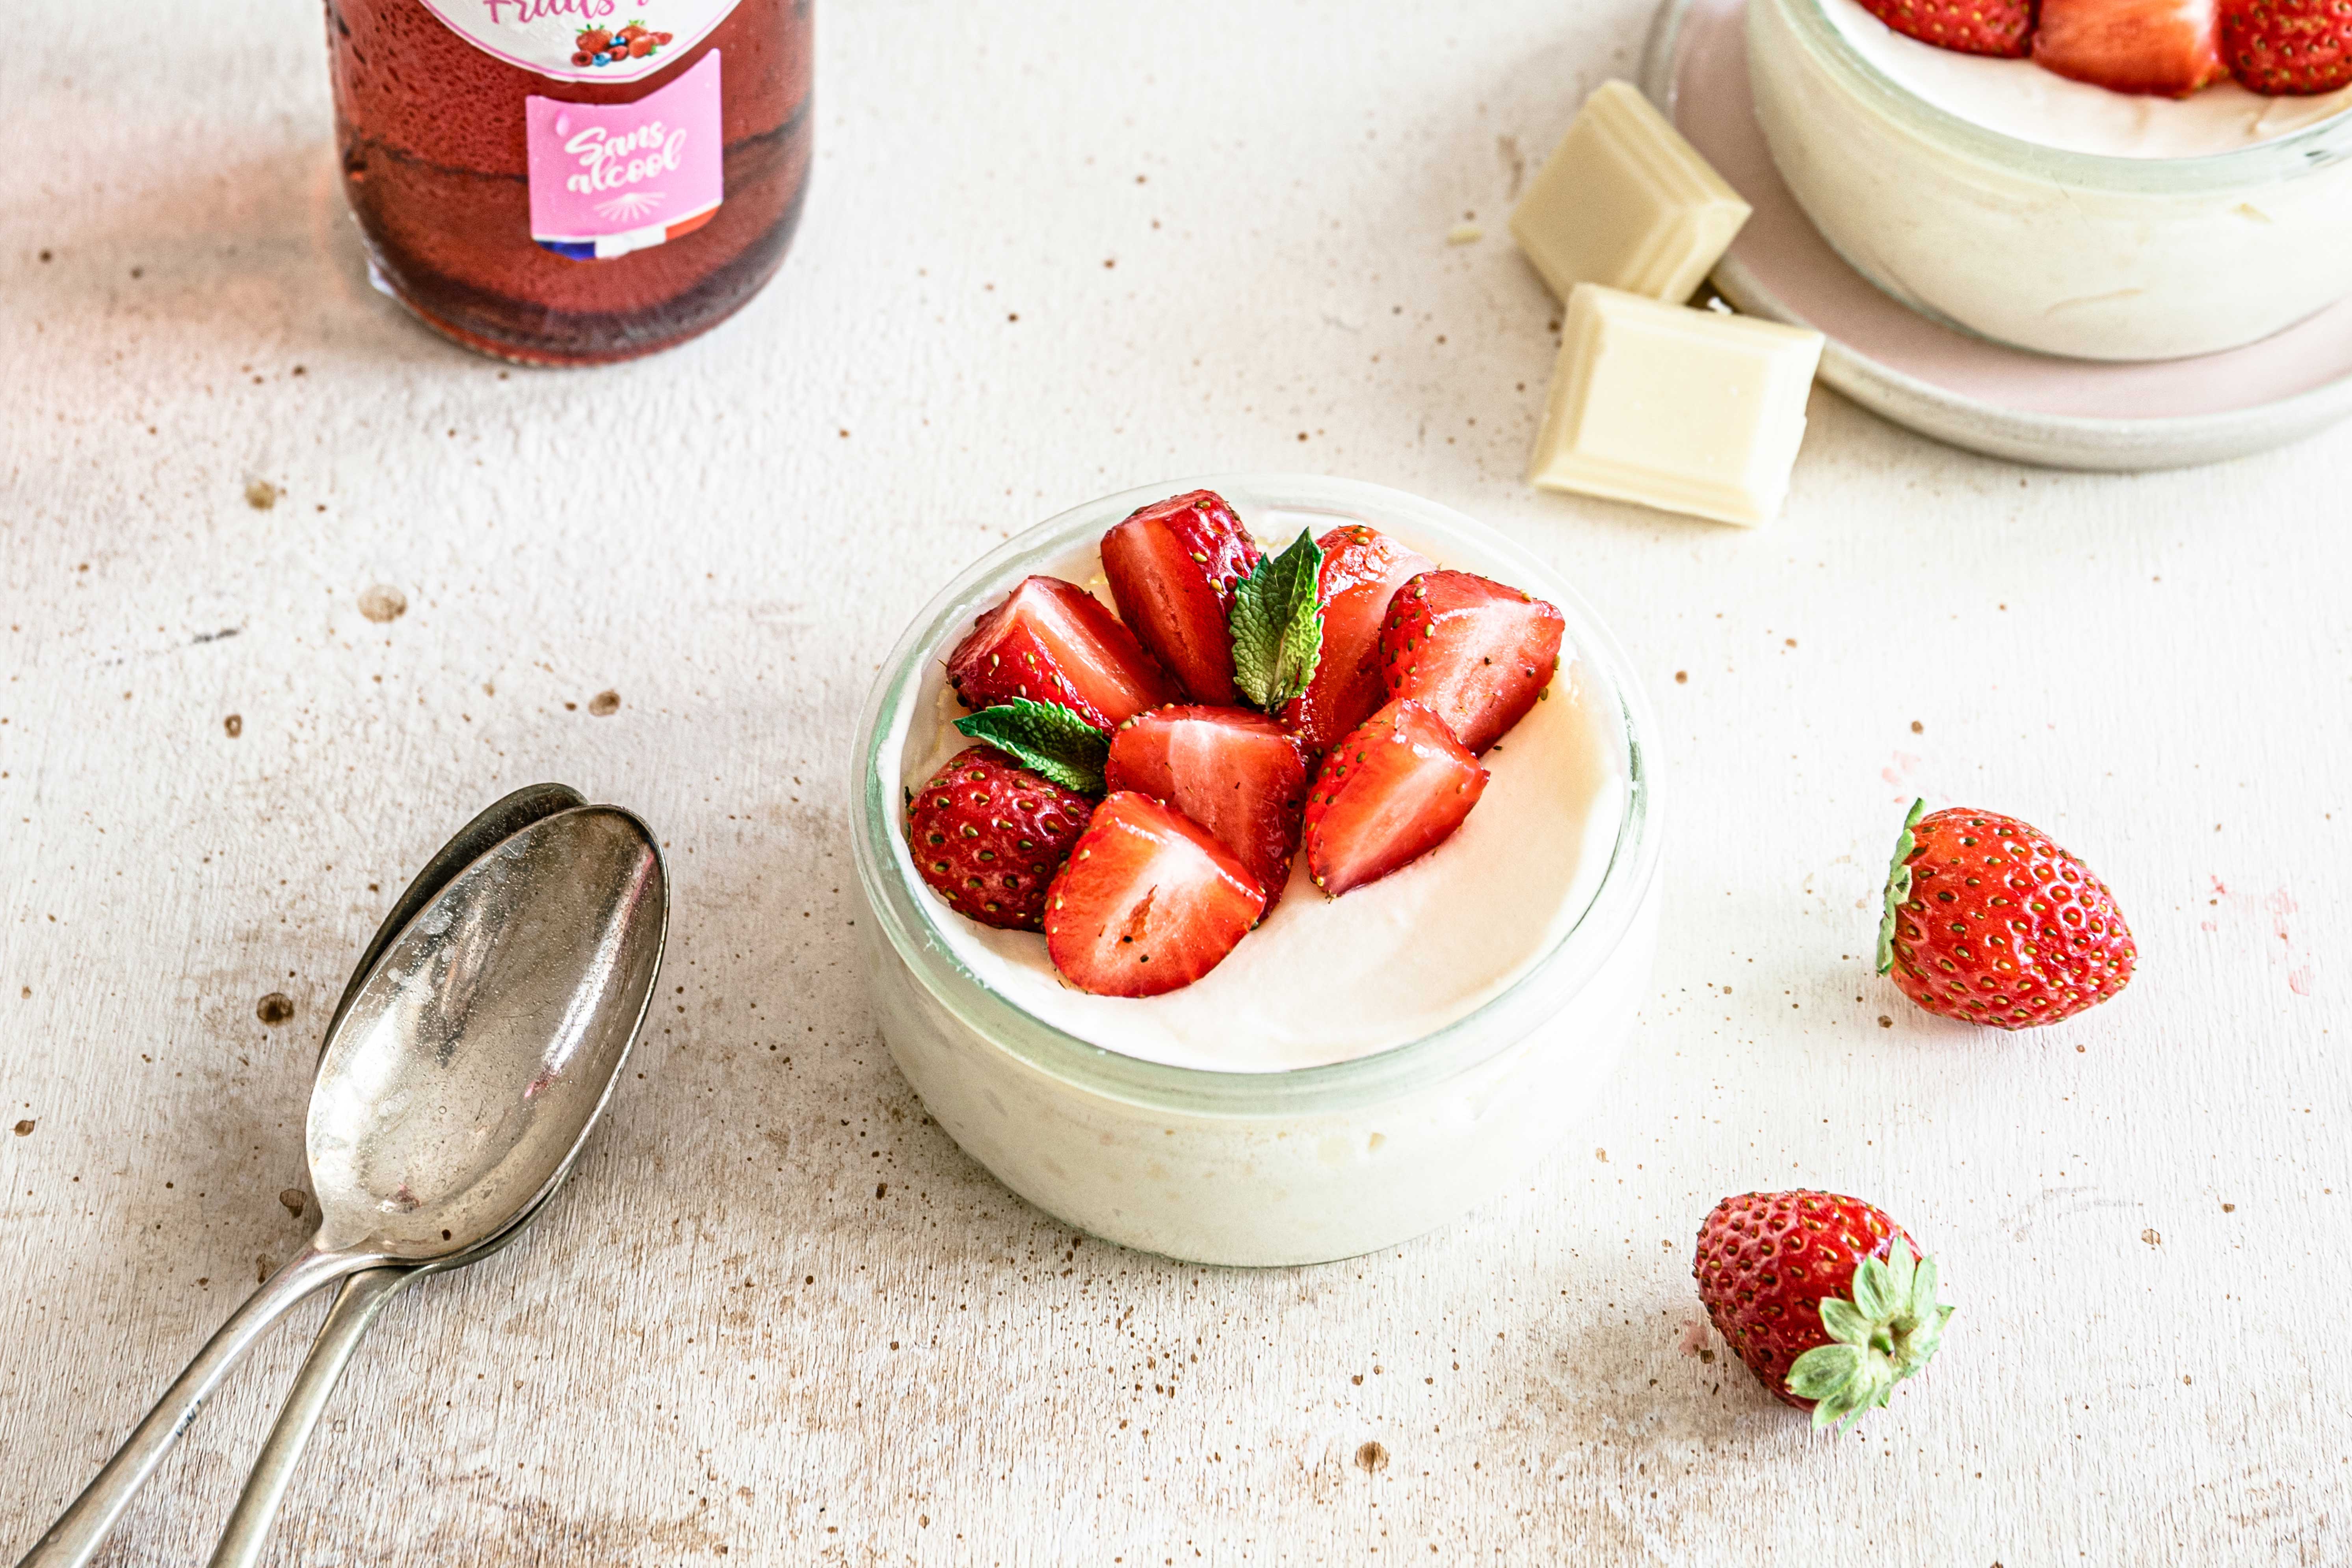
2304	152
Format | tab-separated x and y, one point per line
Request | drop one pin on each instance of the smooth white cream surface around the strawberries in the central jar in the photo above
1330	979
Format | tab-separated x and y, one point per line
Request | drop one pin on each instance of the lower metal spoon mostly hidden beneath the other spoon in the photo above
366	1294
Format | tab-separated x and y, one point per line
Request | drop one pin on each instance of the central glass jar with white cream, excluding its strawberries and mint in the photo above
1438	1073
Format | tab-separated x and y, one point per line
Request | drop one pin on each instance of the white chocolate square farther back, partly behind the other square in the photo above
1626	203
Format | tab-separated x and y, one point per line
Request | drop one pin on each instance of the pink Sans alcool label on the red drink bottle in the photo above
620	177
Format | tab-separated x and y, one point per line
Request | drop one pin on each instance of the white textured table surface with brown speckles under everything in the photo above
780	1315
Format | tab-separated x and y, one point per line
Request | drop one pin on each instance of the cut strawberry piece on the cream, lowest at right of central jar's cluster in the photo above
1387	796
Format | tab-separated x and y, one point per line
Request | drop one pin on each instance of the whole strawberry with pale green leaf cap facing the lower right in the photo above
1822	1296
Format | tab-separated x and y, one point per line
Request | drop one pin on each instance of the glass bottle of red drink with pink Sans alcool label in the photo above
573	182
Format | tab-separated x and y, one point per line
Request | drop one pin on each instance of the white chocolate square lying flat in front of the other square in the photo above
1673	408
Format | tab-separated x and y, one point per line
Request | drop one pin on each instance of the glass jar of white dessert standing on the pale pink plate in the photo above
2029	203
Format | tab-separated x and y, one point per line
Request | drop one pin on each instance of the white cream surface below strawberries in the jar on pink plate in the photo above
2022	100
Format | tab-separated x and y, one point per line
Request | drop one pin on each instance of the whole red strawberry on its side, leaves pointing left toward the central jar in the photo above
1991	923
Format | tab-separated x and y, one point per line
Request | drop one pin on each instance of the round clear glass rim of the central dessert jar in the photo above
911	925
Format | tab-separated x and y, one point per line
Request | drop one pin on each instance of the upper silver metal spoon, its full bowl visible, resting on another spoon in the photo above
453	1092
